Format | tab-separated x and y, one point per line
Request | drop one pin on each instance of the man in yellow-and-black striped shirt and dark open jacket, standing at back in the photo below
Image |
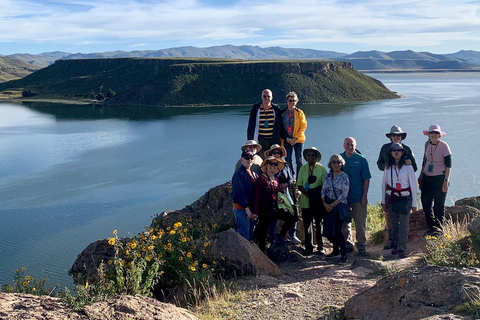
265	122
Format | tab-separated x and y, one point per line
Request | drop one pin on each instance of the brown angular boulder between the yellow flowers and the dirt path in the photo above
239	256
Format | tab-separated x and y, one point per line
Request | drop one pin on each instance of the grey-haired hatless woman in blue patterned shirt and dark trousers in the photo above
335	191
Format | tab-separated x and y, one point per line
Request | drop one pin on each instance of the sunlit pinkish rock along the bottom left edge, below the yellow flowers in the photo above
19	306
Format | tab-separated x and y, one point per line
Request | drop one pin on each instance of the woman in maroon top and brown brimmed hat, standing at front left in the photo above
265	192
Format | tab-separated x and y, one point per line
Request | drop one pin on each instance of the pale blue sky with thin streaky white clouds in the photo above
36	26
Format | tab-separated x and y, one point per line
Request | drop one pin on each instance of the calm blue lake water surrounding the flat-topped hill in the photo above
70	175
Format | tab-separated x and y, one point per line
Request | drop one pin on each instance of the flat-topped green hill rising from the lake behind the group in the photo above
180	81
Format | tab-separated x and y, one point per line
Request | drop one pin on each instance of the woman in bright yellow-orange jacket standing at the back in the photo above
295	124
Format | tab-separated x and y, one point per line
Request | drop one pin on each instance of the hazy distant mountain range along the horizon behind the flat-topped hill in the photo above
365	61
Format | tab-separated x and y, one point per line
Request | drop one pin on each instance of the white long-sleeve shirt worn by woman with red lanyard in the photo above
405	176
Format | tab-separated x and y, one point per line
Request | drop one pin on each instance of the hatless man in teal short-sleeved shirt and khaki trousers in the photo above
356	167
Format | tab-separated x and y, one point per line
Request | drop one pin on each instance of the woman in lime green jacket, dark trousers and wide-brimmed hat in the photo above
310	181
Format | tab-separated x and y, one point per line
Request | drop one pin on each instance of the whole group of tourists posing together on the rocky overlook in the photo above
267	187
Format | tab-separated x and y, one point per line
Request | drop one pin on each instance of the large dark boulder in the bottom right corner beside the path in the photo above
416	293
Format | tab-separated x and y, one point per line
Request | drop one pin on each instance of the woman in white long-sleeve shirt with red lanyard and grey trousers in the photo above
399	196
